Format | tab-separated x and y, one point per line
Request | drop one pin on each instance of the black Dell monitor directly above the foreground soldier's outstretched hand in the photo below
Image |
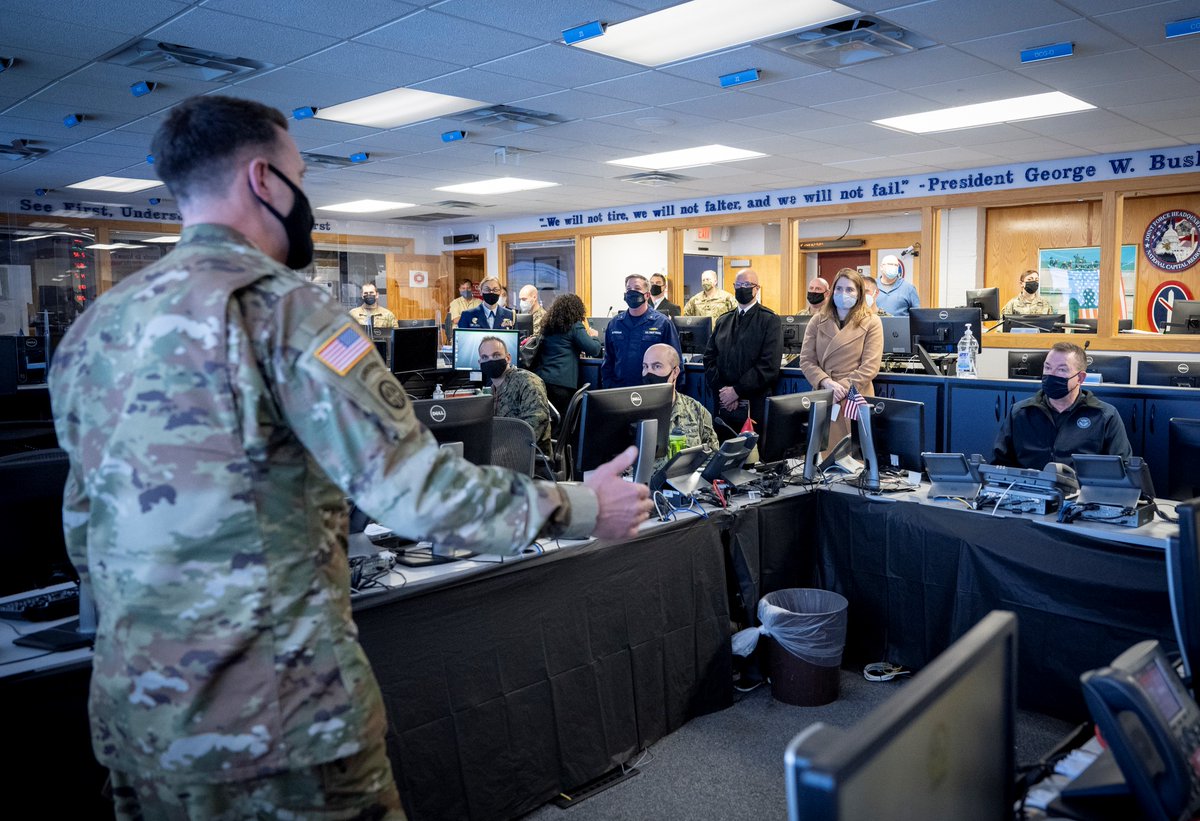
609	422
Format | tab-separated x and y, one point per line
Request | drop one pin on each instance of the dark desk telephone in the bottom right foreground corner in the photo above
1153	727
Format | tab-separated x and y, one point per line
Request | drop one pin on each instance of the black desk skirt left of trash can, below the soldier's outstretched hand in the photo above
505	691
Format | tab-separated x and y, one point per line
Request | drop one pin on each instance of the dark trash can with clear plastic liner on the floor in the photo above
807	632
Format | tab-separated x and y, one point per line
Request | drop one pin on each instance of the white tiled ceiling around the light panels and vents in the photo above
814	124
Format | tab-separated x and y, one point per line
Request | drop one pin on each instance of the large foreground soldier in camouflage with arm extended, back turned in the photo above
218	410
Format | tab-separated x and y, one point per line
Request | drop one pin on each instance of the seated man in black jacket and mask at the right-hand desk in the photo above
1061	420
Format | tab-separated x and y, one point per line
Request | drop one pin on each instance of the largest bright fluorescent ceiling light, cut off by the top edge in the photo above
700	27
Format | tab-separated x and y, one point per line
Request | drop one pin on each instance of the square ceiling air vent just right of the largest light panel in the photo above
849	43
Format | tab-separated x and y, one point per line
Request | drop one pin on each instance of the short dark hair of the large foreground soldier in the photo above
205	139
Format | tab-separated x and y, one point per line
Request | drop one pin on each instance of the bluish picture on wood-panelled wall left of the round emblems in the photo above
1071	281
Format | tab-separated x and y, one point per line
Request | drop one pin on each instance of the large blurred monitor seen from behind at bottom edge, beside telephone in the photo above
941	748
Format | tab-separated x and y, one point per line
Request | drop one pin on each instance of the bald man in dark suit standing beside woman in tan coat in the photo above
742	359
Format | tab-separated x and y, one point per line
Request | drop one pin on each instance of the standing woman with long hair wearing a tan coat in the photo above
843	346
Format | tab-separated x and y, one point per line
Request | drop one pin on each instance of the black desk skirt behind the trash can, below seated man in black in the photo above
920	577
